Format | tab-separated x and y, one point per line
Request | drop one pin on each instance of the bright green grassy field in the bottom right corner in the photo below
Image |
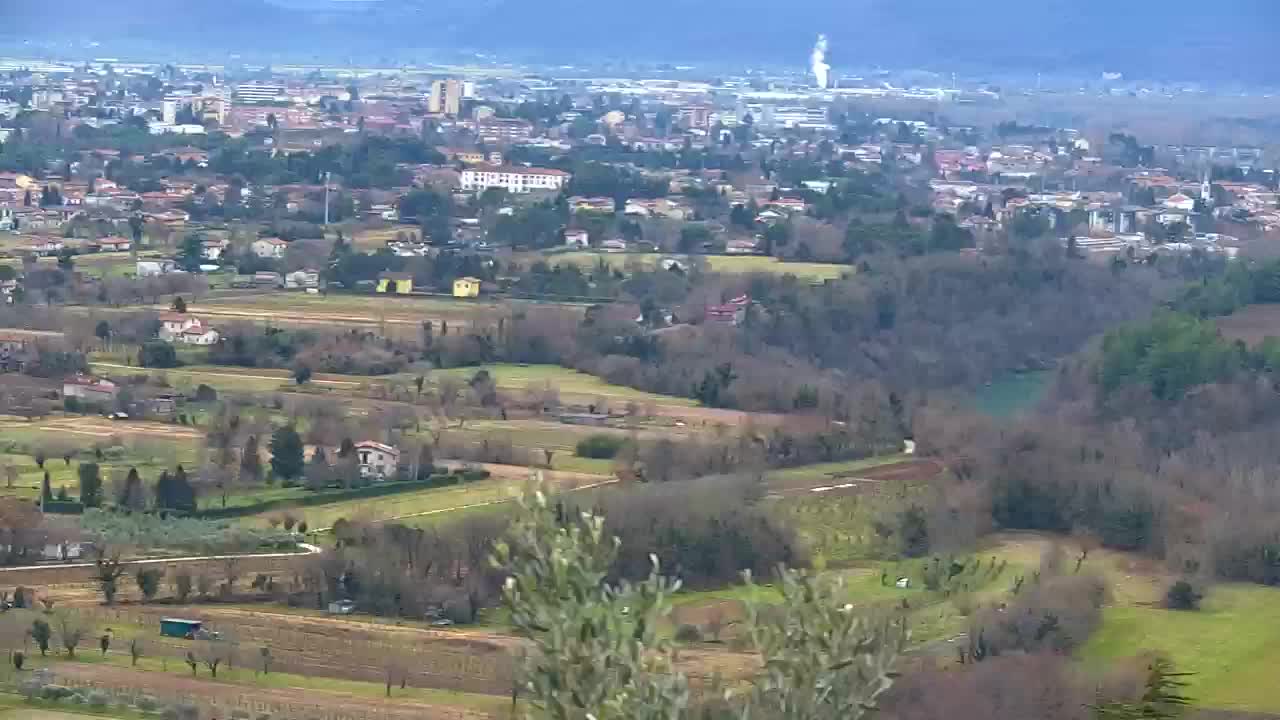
1232	645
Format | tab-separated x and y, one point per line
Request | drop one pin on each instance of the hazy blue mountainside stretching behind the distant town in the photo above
1167	39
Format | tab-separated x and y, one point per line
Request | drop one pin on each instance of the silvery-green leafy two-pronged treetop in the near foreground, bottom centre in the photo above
597	653
